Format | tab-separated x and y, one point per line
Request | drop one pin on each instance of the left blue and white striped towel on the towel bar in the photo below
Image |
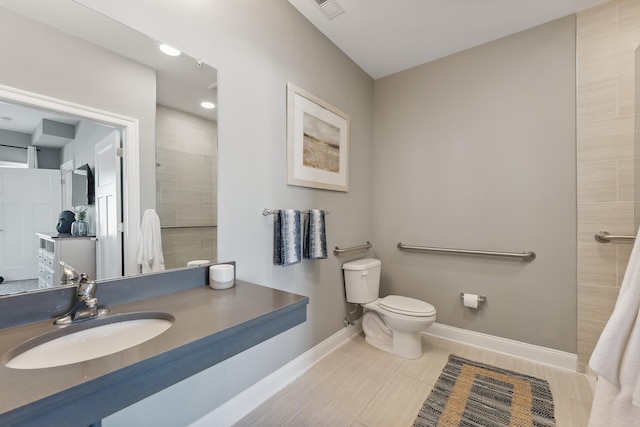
287	238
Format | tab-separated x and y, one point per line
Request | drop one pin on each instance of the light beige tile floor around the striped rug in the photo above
359	386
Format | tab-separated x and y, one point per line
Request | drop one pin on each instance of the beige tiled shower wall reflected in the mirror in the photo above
186	173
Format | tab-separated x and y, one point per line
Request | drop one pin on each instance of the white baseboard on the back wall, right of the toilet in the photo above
547	356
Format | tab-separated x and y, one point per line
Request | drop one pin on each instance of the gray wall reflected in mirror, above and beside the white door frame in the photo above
51	63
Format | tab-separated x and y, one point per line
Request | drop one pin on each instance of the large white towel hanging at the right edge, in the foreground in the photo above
615	358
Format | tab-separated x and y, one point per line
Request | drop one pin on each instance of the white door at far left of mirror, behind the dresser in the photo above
29	203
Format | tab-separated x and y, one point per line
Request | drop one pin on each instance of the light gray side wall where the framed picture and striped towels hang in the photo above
258	47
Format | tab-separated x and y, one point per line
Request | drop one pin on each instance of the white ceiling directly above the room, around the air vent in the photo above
387	36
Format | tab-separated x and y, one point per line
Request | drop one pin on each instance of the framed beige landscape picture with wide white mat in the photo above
317	142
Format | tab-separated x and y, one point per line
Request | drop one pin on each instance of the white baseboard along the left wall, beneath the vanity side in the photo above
241	405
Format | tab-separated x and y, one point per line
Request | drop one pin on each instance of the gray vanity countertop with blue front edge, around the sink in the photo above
210	326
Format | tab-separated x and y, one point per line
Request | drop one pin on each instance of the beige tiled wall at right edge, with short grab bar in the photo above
607	36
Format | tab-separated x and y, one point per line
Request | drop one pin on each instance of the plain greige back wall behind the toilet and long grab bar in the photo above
477	150
